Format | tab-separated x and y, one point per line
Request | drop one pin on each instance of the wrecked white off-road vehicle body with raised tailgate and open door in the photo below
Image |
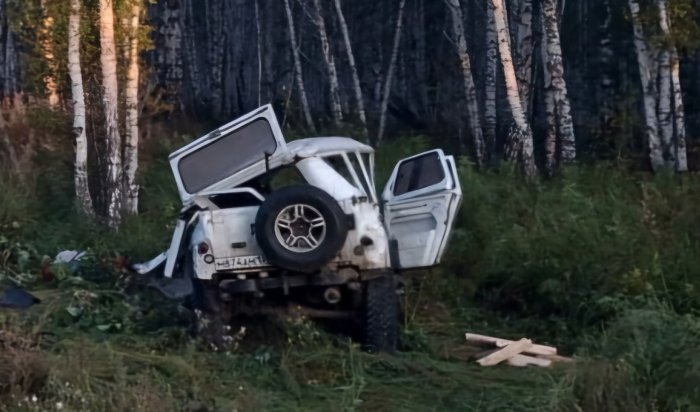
408	227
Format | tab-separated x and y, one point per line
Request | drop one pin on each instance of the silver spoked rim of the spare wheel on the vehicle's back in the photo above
300	228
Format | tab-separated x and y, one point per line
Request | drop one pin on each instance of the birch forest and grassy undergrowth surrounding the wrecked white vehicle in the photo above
575	124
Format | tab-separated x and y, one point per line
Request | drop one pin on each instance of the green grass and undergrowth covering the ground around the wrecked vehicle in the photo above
599	262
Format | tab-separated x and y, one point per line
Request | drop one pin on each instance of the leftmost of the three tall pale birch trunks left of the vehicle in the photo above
80	166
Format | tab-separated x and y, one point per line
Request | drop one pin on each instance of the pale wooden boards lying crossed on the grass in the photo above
516	353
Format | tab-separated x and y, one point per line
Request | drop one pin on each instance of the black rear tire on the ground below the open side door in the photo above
381	315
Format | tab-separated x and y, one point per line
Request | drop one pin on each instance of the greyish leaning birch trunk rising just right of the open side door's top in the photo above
473	114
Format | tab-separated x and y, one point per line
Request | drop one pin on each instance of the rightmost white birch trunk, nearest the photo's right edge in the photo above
676	146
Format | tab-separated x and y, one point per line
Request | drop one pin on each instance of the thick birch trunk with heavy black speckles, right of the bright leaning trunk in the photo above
554	66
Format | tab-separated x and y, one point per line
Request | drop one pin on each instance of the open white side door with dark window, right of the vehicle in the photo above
422	199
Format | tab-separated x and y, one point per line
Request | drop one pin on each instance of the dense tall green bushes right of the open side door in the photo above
564	247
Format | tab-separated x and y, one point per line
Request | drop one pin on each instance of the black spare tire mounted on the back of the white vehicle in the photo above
317	202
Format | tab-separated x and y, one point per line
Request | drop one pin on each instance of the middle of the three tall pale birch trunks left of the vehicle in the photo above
108	61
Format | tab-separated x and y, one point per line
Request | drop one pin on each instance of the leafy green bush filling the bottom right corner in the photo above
645	361
